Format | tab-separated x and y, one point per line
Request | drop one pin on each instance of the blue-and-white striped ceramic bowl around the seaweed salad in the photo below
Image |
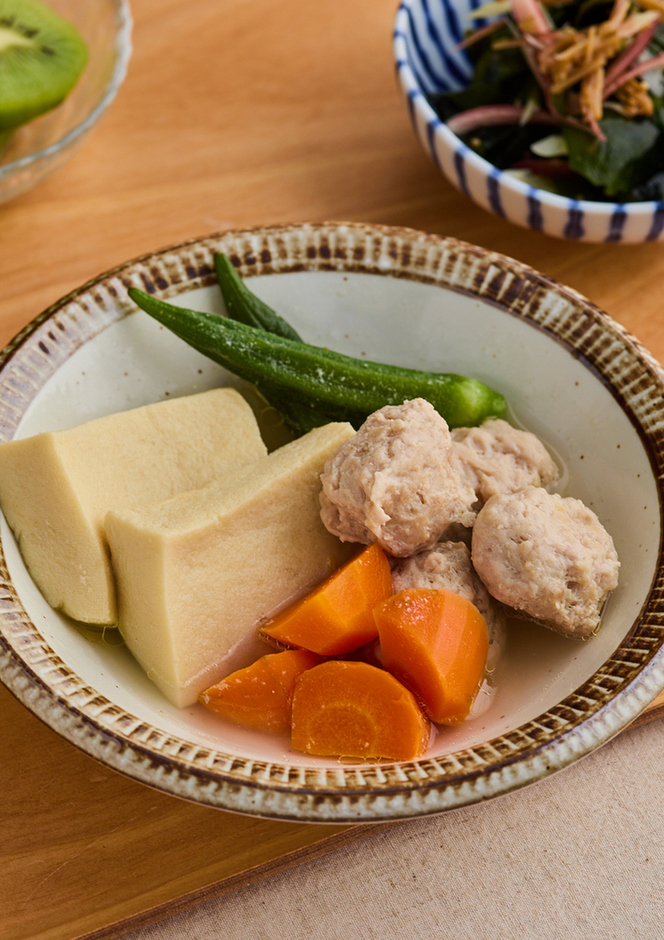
426	38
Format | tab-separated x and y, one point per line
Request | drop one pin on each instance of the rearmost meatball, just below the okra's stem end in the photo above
498	458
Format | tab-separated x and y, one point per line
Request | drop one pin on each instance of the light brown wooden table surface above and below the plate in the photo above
233	114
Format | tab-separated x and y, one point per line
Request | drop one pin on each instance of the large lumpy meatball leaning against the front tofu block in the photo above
394	481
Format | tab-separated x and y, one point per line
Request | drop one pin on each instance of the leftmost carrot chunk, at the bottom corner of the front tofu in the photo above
260	695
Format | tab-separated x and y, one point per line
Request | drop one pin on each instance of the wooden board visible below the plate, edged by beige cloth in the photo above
88	853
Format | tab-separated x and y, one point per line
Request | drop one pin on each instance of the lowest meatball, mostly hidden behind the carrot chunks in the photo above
448	565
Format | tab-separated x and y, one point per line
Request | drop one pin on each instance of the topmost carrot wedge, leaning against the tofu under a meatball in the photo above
337	616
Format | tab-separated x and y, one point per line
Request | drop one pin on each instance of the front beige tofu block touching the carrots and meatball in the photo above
198	573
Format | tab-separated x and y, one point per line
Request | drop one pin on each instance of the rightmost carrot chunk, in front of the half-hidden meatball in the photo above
436	643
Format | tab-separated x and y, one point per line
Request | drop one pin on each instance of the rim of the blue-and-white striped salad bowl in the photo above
416	96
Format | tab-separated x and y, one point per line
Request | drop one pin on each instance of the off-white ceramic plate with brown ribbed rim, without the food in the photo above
570	374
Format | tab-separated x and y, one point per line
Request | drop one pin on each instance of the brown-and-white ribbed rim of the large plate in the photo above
616	694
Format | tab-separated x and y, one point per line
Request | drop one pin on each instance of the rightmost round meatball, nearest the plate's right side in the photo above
547	556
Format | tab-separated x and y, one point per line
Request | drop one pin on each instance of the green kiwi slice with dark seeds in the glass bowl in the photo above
41	58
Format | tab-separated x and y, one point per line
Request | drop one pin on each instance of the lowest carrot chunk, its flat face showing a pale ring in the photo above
354	710
